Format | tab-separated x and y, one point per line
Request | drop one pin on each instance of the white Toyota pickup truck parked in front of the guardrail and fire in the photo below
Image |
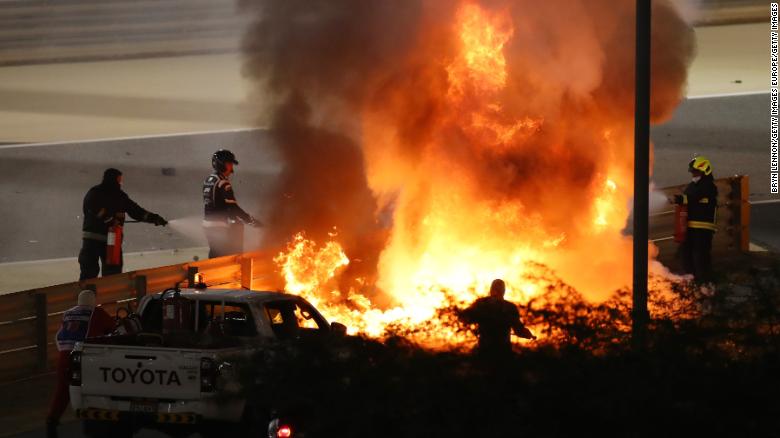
168	381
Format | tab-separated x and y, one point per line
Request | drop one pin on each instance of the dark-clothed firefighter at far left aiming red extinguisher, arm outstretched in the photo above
106	206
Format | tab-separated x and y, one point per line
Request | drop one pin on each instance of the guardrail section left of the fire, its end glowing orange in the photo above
30	319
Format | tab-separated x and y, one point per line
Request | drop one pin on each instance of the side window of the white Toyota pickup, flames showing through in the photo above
290	319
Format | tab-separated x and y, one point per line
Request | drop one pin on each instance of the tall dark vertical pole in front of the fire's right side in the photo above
641	172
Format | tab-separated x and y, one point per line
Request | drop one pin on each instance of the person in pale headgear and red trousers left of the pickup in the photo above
85	320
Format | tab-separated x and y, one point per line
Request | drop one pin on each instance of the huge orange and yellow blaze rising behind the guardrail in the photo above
452	233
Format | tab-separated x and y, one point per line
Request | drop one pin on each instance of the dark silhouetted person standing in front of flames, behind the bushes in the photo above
495	319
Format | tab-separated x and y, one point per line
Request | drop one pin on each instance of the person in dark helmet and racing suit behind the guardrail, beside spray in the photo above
223	221
